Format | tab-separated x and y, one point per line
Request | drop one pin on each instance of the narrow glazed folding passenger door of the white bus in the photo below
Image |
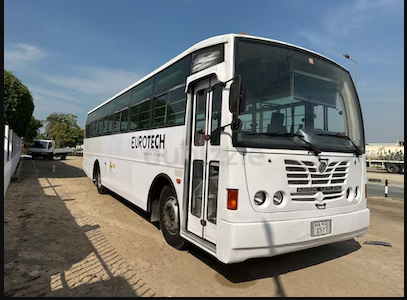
204	163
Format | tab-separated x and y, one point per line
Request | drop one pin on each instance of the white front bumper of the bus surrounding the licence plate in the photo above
240	241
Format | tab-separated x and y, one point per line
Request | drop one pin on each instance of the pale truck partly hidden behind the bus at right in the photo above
389	157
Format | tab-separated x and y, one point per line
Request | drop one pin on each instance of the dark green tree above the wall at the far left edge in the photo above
18	104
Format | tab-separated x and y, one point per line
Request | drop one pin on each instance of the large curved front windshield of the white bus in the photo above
291	92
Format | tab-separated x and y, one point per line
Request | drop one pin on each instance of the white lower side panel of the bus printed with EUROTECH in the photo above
123	159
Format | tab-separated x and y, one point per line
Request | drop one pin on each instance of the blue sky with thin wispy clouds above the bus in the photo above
74	55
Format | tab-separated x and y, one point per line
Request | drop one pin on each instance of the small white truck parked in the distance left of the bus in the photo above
47	150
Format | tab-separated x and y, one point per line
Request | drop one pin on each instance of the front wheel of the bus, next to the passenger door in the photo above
169	219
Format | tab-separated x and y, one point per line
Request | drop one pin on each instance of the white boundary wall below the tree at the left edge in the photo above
12	154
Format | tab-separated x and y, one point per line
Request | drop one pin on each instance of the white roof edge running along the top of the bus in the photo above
203	44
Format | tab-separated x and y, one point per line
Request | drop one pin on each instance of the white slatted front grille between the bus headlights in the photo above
307	181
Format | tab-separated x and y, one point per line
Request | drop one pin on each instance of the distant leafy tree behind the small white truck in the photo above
63	128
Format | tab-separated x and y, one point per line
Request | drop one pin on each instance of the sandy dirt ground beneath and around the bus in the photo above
61	238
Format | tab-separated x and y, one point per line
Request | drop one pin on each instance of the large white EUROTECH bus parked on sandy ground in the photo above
243	146
